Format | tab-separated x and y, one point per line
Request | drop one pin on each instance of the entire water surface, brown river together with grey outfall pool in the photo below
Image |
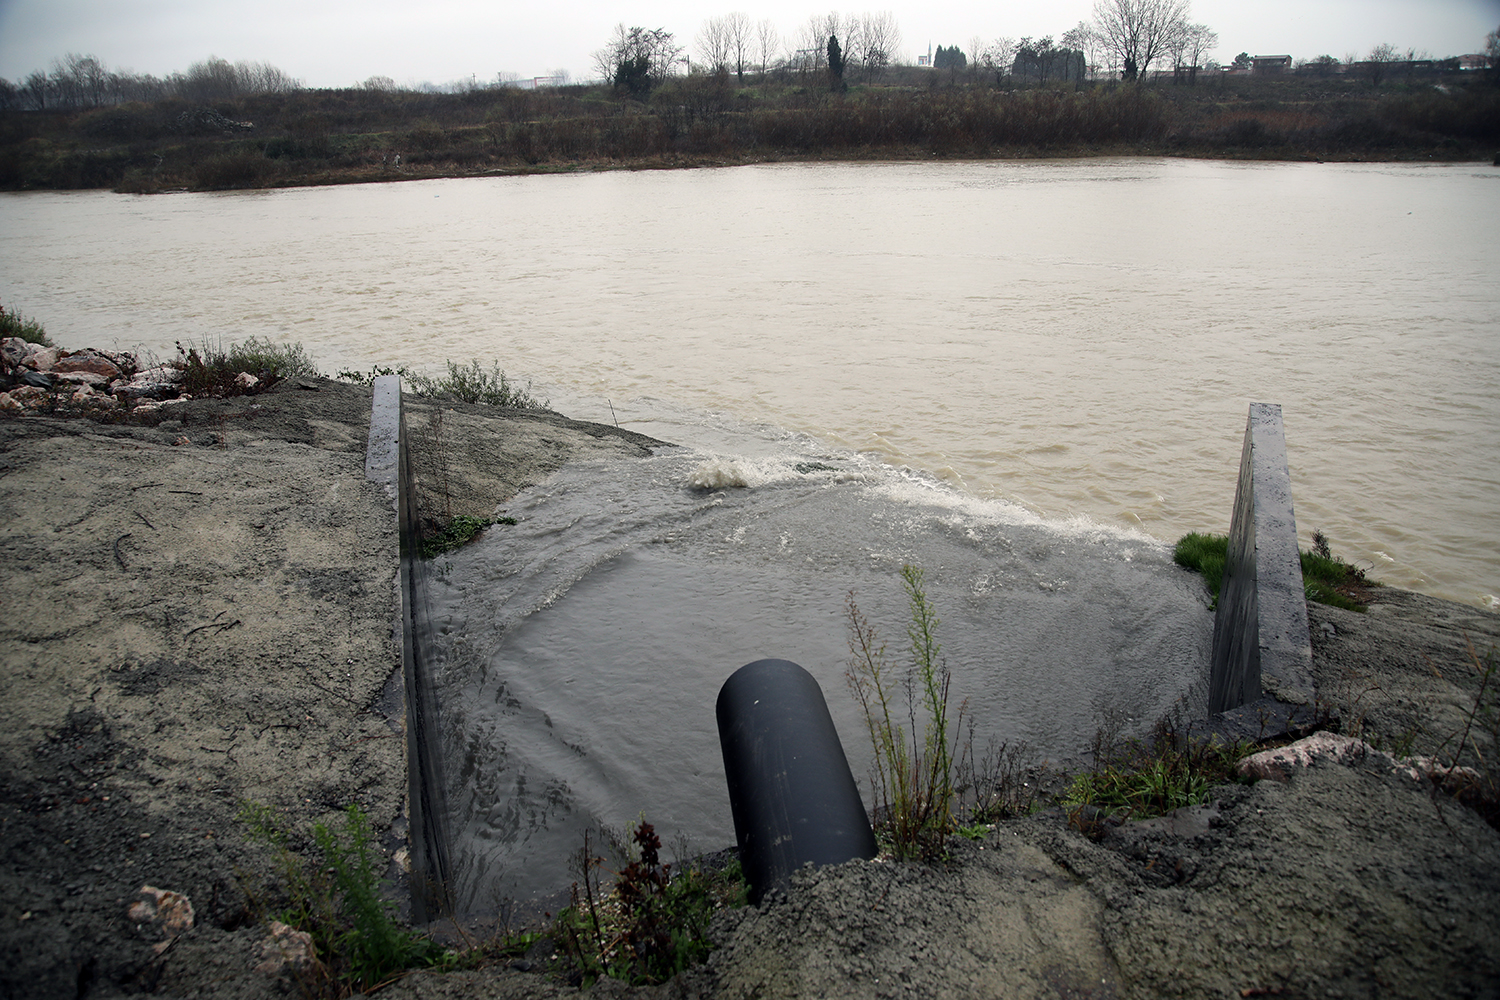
1027	377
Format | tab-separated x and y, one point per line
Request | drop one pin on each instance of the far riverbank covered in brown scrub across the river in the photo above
325	137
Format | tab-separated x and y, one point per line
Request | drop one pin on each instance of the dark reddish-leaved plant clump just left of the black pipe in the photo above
653	924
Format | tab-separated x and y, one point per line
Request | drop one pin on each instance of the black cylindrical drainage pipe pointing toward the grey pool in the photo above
791	791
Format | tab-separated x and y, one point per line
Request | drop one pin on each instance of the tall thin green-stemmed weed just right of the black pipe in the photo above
914	774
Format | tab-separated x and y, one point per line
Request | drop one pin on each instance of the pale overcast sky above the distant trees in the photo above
343	43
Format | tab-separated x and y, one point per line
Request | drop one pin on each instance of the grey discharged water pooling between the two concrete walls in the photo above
584	647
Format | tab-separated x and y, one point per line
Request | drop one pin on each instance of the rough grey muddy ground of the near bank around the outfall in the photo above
202	612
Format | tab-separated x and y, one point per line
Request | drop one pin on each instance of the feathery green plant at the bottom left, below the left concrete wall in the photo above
358	941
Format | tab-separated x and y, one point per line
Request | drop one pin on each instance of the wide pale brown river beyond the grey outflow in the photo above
1081	338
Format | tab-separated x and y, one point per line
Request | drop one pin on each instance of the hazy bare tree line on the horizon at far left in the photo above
77	83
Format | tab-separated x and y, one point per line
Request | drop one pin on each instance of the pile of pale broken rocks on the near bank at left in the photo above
43	379
